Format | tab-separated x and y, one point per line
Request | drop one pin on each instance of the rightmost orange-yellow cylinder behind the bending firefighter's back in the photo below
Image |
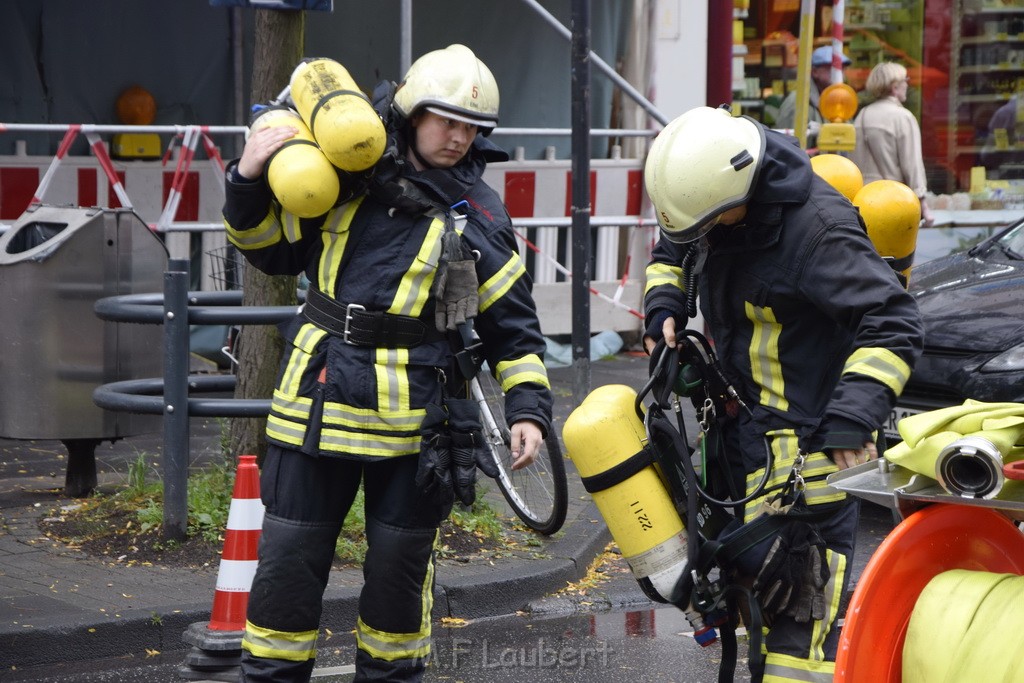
892	214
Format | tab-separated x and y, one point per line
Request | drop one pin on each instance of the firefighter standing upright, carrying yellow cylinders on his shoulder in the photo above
369	391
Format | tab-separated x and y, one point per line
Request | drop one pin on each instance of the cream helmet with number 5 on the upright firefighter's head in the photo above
454	83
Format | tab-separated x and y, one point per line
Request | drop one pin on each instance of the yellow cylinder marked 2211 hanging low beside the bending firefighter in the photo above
601	436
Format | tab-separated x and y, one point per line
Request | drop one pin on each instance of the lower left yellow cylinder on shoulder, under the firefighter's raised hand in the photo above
301	177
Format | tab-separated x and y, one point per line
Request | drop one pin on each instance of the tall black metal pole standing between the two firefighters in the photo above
581	200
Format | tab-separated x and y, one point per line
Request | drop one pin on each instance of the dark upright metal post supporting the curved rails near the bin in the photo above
176	459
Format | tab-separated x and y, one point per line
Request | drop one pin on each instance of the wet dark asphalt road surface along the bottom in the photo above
637	646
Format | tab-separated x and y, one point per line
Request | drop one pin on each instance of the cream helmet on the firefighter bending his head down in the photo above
703	164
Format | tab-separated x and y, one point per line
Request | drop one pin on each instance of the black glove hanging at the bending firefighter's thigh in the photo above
794	575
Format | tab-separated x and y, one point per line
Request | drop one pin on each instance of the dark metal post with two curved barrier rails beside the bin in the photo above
177	309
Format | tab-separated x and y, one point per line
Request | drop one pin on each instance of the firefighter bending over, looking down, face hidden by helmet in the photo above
814	330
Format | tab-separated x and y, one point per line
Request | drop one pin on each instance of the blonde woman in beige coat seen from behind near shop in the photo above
888	135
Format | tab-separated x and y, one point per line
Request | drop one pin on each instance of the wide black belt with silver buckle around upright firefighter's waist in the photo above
359	327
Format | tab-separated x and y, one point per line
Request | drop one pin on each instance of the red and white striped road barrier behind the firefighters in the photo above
189	199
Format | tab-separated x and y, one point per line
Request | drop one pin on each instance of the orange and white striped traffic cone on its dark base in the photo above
218	645
